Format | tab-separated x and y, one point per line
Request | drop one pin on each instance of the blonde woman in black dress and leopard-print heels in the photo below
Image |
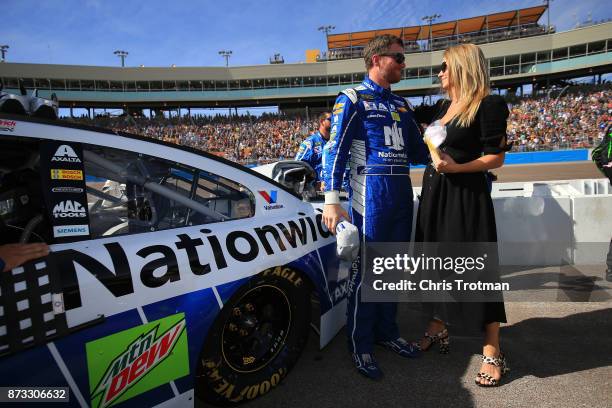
455	201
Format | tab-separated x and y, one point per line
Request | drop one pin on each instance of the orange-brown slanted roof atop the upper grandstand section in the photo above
444	29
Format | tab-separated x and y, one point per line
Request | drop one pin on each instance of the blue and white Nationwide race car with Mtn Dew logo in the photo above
174	275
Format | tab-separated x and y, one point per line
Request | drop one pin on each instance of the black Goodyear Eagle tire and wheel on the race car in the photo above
256	339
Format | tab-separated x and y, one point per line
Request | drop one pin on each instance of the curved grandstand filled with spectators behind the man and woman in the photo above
519	50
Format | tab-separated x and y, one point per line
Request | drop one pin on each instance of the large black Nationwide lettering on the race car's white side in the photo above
238	245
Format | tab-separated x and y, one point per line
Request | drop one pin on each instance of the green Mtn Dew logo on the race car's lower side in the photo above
137	360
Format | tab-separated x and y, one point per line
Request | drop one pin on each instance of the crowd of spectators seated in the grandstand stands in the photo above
574	119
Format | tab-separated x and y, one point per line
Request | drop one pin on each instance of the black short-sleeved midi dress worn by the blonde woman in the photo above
457	207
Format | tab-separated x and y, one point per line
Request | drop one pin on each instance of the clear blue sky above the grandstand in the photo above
190	33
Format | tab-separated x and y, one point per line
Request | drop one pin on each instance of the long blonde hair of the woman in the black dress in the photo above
469	80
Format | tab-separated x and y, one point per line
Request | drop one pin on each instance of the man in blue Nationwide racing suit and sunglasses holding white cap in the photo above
378	129
